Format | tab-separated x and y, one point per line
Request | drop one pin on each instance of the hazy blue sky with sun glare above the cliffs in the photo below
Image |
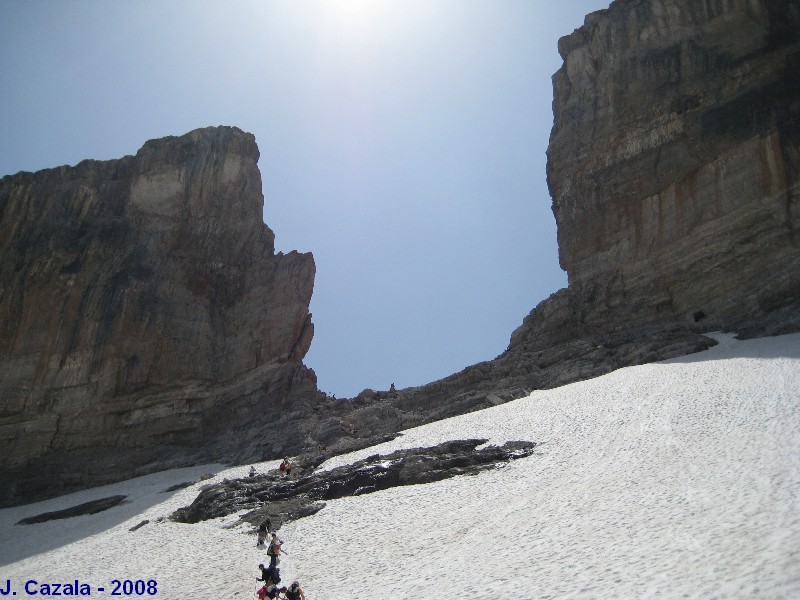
402	143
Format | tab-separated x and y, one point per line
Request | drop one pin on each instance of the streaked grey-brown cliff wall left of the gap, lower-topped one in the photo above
144	315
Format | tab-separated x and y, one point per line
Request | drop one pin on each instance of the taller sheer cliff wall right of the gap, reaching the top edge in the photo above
673	166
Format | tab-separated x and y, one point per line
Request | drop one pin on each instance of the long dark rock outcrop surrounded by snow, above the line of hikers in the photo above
282	499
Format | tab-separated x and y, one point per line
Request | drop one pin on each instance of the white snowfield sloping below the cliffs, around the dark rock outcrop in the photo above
678	479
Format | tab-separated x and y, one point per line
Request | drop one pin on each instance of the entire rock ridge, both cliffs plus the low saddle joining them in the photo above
145	320
